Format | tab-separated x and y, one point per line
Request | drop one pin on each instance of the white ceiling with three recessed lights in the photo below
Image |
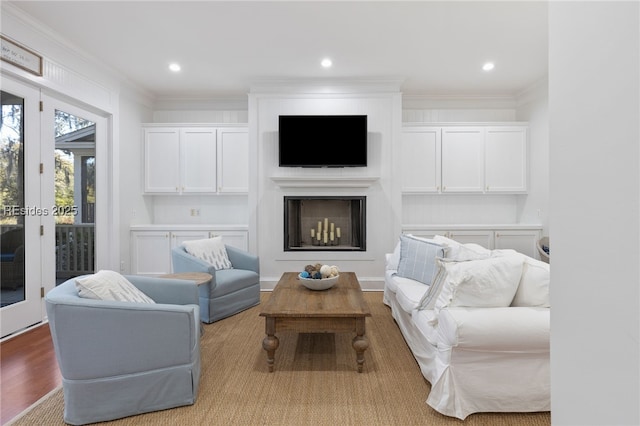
433	48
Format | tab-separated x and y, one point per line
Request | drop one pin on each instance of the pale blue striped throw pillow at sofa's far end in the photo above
417	258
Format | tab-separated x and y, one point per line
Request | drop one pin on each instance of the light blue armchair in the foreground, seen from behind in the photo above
119	359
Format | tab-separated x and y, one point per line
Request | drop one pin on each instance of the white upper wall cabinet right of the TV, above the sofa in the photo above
464	159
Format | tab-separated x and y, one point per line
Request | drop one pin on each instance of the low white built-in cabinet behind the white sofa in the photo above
522	239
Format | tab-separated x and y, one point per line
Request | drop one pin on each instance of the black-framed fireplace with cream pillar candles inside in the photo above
327	223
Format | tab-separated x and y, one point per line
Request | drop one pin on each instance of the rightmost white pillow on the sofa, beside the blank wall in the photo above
533	289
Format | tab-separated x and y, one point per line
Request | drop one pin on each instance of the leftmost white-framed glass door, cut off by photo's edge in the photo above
22	211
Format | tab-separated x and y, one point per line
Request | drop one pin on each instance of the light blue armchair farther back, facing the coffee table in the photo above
230	290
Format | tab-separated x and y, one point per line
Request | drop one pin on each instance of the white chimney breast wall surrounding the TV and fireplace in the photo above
266	203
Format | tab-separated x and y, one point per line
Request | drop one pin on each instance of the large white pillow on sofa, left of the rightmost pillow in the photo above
484	283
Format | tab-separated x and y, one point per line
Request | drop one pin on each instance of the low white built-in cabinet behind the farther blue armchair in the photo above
151	247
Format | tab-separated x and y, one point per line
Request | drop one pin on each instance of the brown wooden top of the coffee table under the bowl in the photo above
291	299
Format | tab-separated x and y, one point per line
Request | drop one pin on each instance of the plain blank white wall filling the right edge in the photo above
594	131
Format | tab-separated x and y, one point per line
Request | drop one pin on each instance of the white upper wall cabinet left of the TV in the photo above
195	160
